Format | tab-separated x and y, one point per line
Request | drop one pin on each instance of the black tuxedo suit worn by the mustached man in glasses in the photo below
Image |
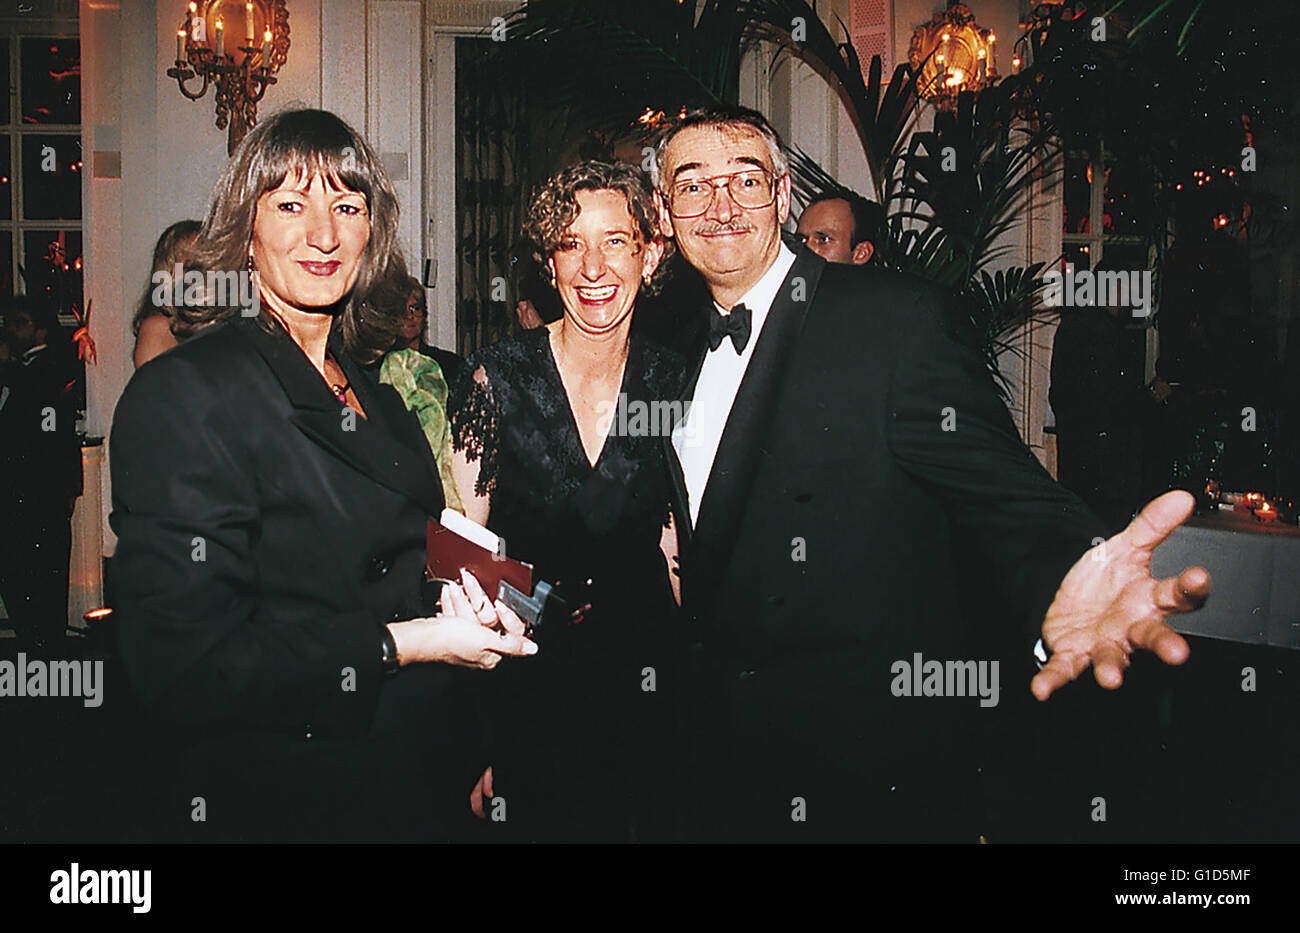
865	440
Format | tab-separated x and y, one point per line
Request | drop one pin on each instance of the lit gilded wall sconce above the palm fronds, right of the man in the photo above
952	55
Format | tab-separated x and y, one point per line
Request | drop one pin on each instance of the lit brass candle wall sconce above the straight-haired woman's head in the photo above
236	46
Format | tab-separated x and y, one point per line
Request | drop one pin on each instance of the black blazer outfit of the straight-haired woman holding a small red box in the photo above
262	541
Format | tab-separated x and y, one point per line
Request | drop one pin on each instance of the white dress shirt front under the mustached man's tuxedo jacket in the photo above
696	437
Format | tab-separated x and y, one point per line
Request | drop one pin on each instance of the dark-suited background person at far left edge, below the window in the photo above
41	474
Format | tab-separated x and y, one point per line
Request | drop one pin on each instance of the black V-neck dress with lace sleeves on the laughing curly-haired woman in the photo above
579	731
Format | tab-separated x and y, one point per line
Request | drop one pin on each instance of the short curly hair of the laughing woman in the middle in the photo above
556	209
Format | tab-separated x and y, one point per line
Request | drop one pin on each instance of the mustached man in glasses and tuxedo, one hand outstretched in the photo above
827	463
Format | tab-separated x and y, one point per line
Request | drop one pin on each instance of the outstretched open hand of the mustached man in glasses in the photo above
1110	605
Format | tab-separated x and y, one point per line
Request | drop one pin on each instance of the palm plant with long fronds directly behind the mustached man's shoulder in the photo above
951	193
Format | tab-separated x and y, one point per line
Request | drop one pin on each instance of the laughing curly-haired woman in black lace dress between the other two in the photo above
560	452
